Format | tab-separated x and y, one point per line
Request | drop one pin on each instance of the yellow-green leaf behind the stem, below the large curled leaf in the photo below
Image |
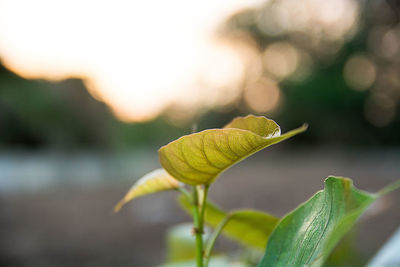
248	227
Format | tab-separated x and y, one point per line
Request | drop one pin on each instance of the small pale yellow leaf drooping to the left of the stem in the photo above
155	181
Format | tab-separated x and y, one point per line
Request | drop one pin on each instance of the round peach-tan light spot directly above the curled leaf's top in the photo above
262	96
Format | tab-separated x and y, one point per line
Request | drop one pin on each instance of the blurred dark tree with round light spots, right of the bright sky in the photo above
333	69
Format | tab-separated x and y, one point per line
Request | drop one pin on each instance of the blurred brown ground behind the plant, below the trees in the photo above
70	225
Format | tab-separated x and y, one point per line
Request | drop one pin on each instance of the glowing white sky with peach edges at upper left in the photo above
137	56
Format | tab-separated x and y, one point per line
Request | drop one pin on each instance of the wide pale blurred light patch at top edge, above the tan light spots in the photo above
331	19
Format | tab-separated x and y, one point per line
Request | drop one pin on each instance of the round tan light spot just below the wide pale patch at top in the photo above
281	59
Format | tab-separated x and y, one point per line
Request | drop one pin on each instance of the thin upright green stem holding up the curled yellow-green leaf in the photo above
198	228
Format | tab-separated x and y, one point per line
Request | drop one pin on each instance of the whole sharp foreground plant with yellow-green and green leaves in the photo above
304	237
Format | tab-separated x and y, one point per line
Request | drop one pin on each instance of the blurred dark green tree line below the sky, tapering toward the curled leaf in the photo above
38	114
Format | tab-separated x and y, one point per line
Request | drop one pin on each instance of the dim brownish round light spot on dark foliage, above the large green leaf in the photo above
359	72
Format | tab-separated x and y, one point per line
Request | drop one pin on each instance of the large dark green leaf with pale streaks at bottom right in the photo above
307	235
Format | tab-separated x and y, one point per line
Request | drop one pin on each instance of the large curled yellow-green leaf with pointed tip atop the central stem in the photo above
200	158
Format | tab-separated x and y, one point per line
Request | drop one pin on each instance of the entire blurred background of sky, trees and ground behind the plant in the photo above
89	90
